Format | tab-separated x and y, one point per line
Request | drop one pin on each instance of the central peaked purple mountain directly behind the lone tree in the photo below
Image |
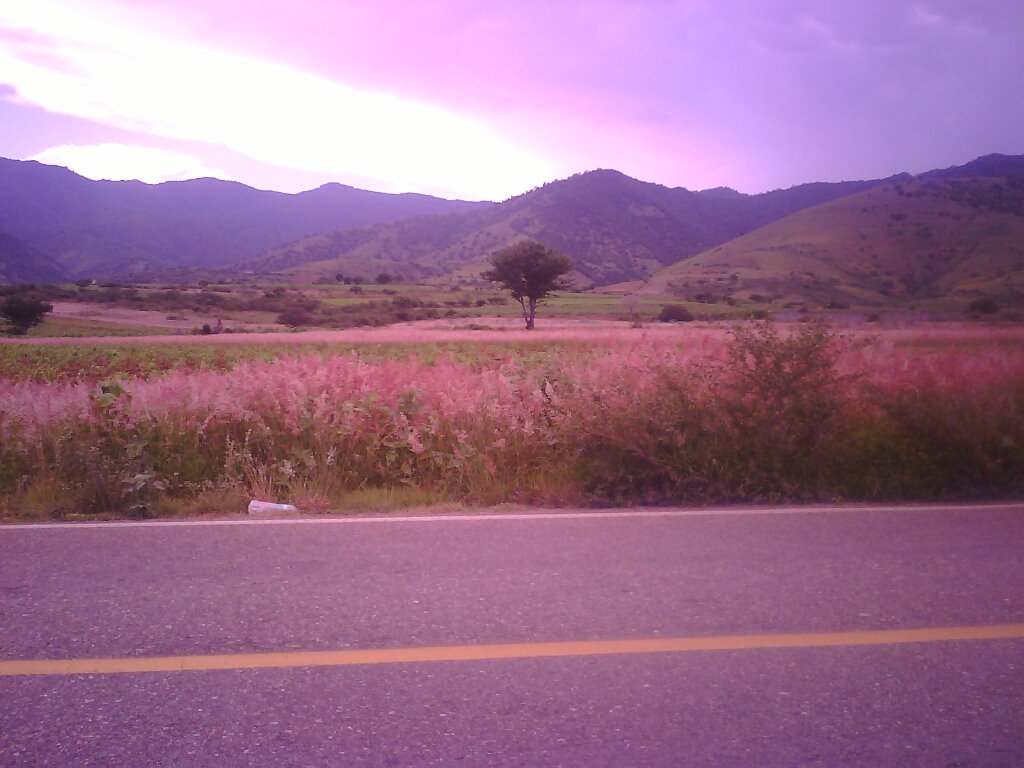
614	227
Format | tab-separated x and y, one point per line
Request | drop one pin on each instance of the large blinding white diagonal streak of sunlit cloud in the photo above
105	66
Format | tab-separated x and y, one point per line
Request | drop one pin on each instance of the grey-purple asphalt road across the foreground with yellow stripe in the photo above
205	593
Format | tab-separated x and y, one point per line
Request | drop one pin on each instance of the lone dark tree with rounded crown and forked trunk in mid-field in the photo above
532	272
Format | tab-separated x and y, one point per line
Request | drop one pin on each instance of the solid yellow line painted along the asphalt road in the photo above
511	651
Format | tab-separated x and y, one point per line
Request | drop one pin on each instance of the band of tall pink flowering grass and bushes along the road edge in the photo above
759	414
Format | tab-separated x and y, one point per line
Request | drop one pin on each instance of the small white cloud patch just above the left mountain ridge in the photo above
120	162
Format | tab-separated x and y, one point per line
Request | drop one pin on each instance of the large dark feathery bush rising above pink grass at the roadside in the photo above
757	428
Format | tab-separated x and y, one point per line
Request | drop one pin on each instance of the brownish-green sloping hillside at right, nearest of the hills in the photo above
932	241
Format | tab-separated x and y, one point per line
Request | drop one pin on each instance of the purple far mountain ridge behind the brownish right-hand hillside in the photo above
616	228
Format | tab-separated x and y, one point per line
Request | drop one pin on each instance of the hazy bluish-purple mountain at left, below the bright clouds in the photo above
125	229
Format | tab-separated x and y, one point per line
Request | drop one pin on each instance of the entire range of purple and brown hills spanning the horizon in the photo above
949	233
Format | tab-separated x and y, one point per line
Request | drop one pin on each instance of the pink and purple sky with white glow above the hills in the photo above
485	100
